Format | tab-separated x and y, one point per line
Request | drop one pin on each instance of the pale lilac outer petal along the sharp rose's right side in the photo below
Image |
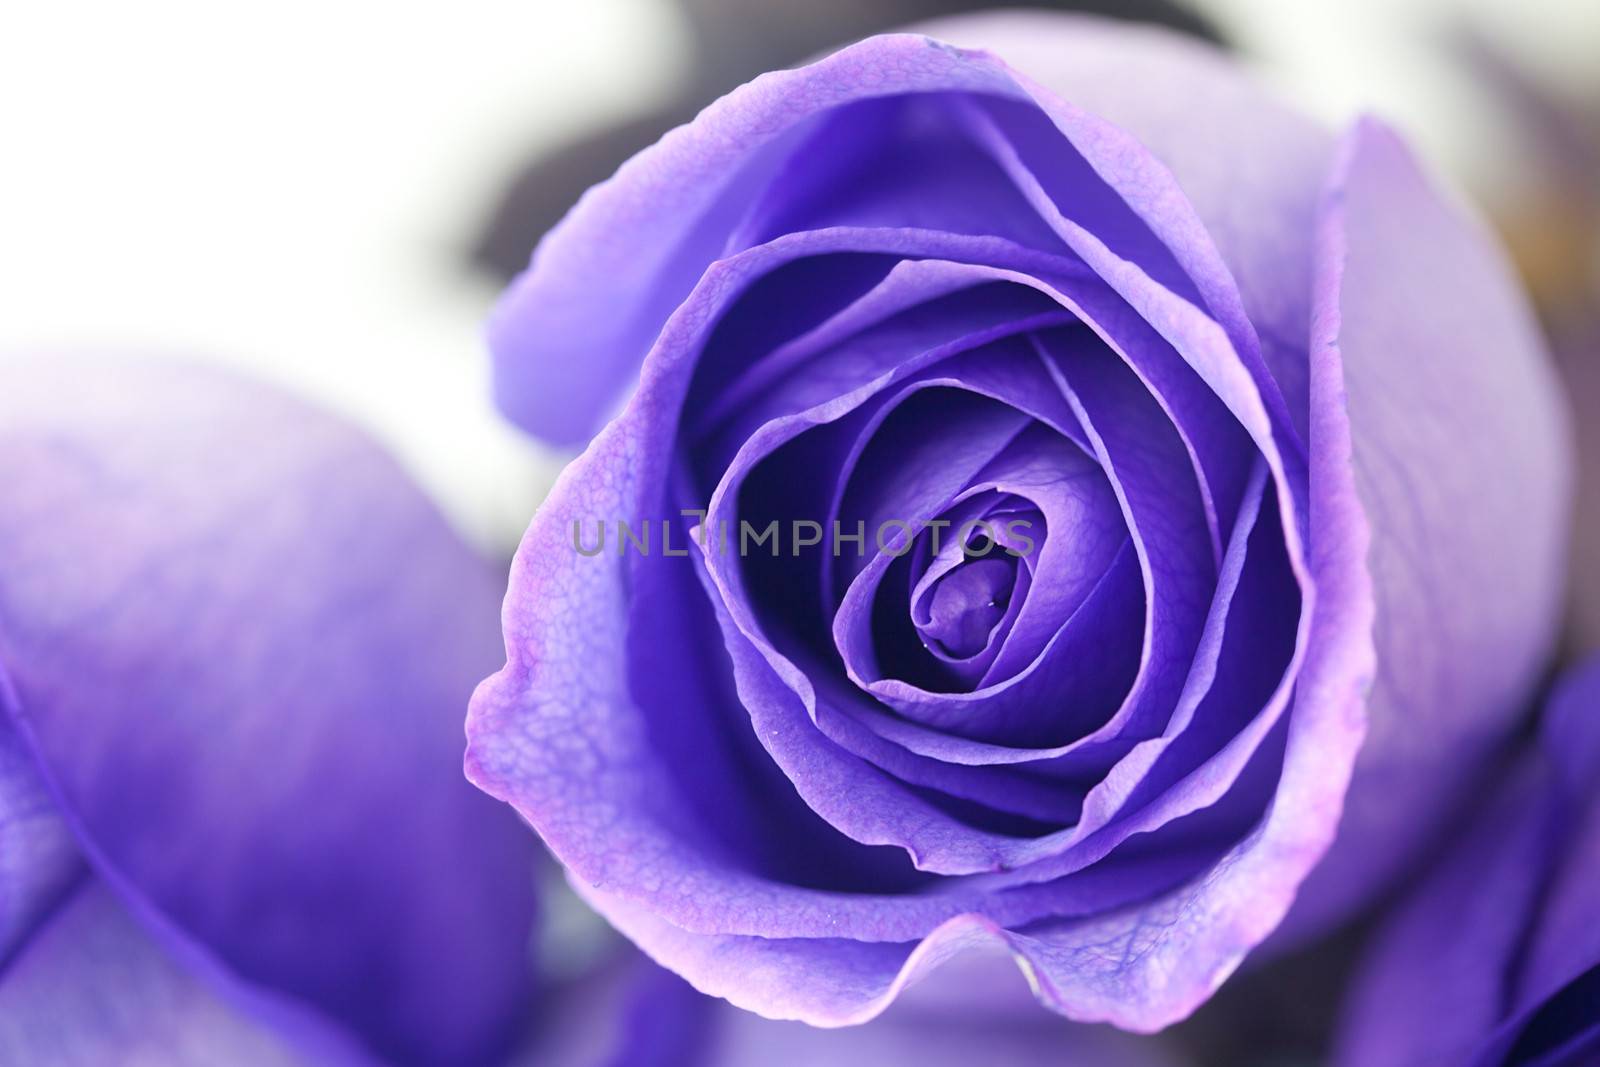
1463	465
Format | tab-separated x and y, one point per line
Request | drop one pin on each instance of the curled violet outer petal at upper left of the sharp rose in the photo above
570	335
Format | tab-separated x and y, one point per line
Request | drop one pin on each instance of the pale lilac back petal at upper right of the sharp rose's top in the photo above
1249	166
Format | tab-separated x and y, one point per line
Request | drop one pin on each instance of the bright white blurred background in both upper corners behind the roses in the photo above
290	188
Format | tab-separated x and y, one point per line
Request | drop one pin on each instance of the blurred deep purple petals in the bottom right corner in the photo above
1494	959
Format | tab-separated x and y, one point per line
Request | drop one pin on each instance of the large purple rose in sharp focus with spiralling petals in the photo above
1169	321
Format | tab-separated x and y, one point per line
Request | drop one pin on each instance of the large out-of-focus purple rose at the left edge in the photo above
234	645
